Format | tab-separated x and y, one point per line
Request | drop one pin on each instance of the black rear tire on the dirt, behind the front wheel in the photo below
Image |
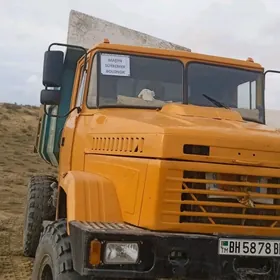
39	207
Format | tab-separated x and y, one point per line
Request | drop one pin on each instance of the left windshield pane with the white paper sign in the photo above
128	80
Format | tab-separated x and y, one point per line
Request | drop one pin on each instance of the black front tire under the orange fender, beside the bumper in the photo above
53	260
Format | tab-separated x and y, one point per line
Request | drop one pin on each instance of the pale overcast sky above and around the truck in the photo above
236	28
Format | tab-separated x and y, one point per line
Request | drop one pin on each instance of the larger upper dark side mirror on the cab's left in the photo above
53	67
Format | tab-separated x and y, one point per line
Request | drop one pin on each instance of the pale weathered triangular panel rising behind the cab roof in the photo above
86	31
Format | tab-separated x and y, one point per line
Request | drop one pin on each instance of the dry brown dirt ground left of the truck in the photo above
18	126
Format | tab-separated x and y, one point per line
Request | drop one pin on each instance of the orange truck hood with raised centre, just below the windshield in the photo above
166	132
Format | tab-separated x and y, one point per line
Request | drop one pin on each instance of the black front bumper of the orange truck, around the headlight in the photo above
199	255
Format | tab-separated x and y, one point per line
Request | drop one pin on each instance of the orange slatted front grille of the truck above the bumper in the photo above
223	199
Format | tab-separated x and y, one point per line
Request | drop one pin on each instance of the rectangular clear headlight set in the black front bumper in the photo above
121	253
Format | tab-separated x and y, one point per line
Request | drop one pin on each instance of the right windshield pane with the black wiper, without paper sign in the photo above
237	89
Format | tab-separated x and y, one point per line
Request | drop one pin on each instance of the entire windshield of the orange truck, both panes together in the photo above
138	81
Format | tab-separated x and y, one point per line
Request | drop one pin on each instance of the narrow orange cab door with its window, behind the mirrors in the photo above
68	133
